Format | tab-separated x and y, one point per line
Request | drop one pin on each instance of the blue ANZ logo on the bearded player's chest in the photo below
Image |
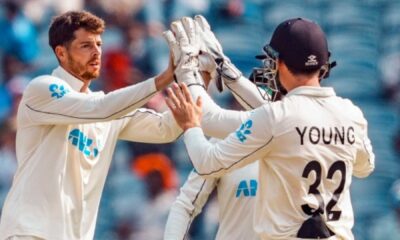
83	143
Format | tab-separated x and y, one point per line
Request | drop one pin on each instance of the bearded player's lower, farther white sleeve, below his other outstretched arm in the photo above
146	125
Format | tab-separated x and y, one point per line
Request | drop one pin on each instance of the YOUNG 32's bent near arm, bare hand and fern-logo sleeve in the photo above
248	143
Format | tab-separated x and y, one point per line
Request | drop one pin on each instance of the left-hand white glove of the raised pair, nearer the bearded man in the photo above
185	48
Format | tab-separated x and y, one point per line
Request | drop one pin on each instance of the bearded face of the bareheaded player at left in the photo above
82	57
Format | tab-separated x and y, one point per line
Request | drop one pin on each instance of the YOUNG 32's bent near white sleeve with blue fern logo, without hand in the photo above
249	142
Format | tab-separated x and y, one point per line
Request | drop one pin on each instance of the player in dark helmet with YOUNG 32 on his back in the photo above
310	144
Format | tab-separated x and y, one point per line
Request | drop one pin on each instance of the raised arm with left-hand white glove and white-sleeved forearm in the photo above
184	44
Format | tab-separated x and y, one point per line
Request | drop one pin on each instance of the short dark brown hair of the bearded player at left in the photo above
63	27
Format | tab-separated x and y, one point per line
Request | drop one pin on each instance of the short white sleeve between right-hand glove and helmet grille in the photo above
246	93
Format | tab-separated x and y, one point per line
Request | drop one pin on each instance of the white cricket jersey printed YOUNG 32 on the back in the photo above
309	145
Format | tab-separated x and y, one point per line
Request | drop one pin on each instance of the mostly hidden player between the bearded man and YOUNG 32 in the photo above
236	191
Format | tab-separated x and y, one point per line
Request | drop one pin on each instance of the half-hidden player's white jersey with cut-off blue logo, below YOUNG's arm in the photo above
236	193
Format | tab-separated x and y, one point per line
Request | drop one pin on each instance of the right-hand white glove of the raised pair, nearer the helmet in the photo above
212	58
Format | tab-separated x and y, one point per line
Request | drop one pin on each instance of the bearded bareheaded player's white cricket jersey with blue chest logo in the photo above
65	141
